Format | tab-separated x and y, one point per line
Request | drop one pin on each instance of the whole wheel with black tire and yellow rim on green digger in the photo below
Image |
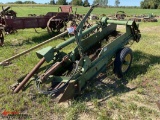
122	62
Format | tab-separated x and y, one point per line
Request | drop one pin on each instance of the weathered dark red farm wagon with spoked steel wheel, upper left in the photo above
52	20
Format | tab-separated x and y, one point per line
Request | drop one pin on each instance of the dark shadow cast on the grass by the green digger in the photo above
104	87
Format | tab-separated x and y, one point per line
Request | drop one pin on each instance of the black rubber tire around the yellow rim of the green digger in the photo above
119	60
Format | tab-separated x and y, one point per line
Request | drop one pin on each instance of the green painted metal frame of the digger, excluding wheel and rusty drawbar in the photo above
87	68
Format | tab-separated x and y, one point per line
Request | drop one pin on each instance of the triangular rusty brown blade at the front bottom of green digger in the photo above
69	92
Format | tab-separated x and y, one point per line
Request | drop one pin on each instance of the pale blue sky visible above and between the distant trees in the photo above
110	2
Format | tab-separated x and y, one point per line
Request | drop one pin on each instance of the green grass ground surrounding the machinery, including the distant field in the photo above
133	97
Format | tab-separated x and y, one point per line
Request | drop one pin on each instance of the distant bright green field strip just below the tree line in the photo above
24	10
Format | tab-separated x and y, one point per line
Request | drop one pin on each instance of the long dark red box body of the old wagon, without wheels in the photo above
32	21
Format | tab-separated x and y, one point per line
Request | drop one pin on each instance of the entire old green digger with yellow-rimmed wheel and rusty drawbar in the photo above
67	73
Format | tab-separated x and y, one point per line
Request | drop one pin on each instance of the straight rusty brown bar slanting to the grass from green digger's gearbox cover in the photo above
25	80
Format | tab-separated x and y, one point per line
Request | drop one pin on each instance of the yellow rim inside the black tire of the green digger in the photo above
126	63
